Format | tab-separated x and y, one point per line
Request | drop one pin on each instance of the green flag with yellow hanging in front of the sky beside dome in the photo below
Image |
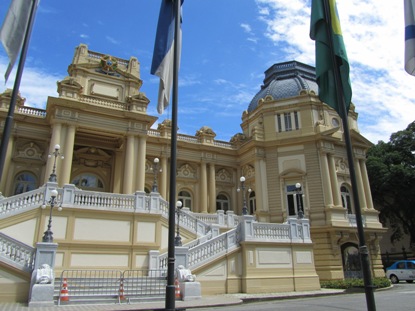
321	24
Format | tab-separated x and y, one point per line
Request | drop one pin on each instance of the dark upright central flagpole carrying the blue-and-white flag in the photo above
170	289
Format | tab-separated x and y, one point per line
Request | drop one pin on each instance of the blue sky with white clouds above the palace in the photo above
227	46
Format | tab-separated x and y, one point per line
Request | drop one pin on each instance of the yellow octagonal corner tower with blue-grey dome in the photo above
294	150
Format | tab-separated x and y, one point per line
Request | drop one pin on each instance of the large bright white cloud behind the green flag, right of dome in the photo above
374	37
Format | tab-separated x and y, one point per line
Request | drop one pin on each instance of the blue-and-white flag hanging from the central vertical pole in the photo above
163	57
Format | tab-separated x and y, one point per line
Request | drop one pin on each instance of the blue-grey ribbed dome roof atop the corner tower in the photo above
286	80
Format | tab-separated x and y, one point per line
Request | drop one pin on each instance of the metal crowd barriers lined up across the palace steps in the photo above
98	285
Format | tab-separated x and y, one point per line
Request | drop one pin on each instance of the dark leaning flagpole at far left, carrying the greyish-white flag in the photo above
9	120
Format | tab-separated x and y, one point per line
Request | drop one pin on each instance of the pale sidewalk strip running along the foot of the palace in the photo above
208	301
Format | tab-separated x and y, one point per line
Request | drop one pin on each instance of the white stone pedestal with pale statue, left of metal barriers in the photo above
43	279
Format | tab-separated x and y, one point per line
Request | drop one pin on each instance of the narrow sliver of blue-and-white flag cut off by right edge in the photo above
409	6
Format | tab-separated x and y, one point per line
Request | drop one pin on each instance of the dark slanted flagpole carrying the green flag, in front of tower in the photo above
363	251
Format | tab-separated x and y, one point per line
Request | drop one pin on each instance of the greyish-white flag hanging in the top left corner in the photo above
13	31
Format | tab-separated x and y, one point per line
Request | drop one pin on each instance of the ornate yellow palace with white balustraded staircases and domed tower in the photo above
299	225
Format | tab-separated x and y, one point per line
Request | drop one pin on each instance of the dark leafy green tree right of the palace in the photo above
391	170
